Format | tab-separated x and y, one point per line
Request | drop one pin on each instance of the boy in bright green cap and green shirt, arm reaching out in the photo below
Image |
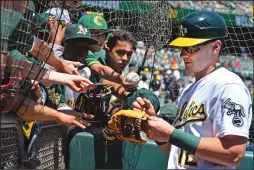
96	55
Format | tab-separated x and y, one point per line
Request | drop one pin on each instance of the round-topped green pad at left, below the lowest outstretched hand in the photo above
82	151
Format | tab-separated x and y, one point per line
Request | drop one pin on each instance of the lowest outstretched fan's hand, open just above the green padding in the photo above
70	117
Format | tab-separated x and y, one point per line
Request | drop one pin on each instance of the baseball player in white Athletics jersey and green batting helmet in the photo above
211	128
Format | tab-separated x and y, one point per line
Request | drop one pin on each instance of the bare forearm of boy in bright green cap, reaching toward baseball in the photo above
106	72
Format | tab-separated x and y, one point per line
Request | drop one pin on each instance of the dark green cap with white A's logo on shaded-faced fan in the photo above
74	31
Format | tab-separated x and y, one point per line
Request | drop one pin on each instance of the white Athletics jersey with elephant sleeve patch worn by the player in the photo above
217	105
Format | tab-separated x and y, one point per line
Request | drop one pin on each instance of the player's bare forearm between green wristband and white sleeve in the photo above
221	151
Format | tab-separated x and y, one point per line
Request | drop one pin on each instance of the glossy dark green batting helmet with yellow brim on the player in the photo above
199	27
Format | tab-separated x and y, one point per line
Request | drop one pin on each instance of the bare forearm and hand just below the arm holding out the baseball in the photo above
117	90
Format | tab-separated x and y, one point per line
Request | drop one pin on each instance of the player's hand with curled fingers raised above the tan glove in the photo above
144	105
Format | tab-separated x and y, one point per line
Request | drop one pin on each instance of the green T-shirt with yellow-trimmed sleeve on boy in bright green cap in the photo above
96	58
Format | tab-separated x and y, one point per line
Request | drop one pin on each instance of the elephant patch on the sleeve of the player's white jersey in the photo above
231	108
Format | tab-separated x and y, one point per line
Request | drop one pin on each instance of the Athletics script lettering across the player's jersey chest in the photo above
193	113
